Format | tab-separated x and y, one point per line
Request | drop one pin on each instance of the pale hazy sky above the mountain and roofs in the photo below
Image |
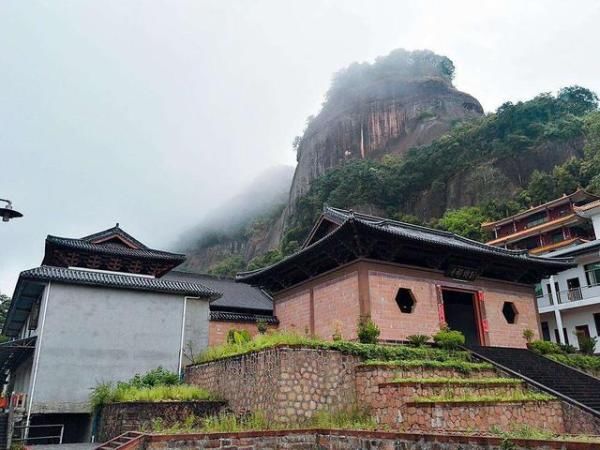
152	113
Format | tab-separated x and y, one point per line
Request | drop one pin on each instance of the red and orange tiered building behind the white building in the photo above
547	227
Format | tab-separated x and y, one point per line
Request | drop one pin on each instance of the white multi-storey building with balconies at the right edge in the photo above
569	303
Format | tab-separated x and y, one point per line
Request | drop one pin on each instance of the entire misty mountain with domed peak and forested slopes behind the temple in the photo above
395	138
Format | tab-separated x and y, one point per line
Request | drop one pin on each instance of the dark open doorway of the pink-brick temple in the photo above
459	309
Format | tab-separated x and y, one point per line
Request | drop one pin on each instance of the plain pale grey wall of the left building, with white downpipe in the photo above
94	335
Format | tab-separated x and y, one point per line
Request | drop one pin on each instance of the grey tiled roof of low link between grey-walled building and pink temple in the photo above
236	296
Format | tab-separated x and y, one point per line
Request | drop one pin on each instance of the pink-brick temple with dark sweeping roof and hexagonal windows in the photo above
409	279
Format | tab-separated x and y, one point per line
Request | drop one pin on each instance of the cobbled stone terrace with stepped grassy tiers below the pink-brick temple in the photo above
290	384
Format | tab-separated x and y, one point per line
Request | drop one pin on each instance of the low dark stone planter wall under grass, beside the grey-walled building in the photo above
117	418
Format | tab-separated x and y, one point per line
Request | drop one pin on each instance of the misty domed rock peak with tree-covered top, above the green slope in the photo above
401	101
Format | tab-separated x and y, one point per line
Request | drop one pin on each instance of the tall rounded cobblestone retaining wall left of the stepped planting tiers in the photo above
288	384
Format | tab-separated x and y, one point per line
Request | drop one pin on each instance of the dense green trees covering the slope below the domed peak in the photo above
514	129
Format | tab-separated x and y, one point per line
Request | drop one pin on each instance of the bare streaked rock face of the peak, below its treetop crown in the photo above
391	116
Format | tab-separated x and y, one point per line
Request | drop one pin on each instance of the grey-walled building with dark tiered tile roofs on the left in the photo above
102	308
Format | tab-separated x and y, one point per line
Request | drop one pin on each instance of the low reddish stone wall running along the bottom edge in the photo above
348	440
